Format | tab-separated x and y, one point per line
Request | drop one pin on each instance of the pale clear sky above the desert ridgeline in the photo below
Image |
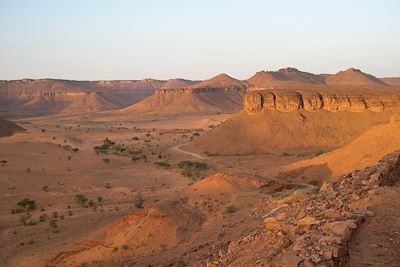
162	39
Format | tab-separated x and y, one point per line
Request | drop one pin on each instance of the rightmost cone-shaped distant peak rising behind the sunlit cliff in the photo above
353	77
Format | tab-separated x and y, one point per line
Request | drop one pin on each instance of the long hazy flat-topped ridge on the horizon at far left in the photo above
52	96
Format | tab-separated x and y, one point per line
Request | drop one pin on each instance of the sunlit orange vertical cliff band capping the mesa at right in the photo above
288	101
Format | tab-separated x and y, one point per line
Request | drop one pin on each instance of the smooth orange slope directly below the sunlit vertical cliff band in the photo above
278	132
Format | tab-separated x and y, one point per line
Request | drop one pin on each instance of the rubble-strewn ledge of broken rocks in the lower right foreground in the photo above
314	228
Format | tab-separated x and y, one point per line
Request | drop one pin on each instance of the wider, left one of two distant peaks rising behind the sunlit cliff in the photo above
284	76
